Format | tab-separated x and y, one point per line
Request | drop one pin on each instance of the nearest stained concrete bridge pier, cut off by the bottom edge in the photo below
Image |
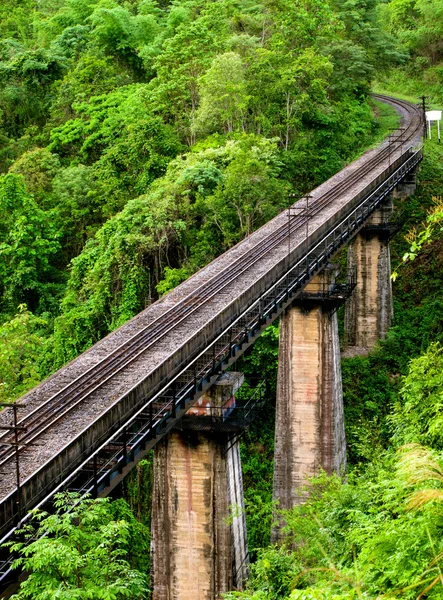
199	549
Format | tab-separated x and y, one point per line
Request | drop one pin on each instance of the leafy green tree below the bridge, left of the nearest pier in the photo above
81	552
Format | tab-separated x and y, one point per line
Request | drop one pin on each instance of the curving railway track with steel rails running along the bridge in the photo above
60	404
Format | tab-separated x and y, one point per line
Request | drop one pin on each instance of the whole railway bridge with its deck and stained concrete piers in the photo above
160	380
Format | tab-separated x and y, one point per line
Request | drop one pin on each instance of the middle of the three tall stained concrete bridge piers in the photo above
309	431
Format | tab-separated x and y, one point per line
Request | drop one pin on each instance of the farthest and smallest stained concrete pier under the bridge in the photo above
369	311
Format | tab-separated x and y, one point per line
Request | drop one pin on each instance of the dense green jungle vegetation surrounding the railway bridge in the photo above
138	140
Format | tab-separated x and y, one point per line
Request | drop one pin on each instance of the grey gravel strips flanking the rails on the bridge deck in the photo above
163	350
